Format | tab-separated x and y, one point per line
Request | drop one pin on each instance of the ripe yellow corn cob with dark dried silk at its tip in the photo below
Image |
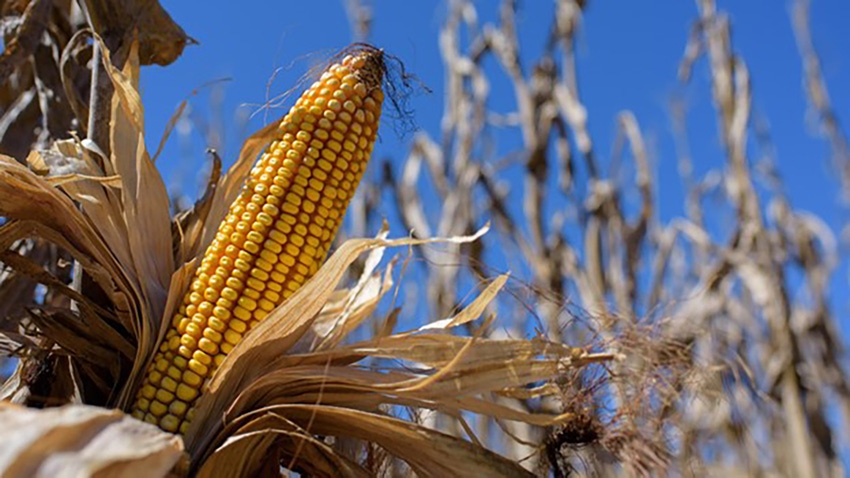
275	236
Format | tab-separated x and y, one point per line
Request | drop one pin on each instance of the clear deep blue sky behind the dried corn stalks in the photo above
628	56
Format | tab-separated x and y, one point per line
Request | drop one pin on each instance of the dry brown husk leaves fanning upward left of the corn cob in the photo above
91	207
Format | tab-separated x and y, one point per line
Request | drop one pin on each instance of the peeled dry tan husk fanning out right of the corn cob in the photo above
328	391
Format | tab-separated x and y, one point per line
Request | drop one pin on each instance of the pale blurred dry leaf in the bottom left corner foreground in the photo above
80	440
